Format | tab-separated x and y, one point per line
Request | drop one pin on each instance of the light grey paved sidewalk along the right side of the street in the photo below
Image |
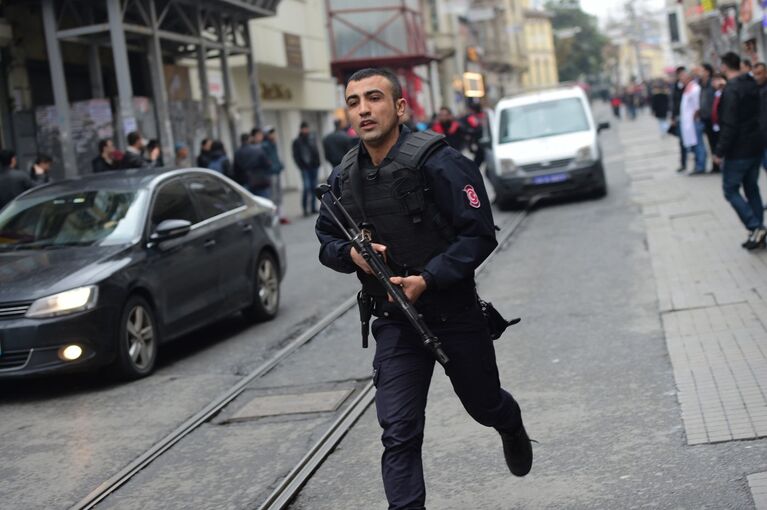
711	292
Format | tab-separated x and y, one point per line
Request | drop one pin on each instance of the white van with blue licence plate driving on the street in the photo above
545	143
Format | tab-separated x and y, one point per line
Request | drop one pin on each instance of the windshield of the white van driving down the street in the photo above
538	120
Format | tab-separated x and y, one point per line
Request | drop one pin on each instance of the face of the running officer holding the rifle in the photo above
373	112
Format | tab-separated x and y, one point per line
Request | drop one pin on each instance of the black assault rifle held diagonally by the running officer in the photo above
361	242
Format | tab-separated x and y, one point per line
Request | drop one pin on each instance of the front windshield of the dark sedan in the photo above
98	217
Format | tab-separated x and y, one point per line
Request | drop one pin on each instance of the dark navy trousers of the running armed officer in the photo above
402	374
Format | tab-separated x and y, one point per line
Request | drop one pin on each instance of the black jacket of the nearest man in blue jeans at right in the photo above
739	136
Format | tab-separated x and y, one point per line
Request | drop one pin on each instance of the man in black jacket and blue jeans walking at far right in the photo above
739	149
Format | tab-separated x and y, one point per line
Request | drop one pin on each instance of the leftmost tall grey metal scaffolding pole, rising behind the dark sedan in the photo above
59	84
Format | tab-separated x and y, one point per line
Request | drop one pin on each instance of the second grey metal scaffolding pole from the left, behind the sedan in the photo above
127	119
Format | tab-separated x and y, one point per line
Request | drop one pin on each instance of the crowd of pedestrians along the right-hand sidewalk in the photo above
723	114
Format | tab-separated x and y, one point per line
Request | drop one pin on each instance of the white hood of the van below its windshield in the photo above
549	148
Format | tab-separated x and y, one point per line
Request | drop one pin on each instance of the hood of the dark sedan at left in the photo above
26	275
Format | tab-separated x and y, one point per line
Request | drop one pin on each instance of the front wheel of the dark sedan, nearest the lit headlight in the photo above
138	339
